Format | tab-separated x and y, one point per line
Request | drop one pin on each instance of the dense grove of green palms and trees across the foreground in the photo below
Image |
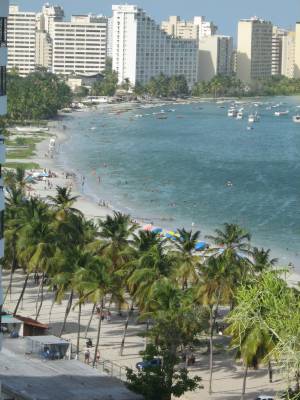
177	292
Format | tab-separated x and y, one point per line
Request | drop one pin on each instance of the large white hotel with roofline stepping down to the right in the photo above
141	50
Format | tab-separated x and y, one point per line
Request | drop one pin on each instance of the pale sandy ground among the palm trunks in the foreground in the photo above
227	375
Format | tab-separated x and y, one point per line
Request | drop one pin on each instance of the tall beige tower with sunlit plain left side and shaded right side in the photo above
254	49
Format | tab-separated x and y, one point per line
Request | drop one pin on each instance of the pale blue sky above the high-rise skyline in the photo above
225	13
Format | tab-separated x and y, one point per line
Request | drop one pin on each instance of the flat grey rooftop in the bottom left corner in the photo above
32	379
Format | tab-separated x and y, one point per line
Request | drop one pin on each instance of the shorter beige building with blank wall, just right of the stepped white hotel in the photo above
215	57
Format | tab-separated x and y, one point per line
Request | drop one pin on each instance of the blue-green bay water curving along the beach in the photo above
174	171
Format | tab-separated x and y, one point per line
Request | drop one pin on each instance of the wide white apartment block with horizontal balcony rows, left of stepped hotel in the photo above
79	46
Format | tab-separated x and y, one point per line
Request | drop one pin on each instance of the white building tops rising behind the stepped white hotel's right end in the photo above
196	29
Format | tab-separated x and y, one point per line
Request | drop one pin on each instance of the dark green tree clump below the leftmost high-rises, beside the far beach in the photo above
37	96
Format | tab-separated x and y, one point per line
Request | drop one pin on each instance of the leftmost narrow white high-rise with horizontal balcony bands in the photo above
21	30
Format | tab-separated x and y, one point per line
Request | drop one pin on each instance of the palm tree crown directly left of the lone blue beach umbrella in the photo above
188	262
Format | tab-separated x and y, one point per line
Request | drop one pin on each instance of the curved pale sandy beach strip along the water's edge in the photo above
86	203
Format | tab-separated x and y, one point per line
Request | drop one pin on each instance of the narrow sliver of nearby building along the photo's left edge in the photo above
3	109
